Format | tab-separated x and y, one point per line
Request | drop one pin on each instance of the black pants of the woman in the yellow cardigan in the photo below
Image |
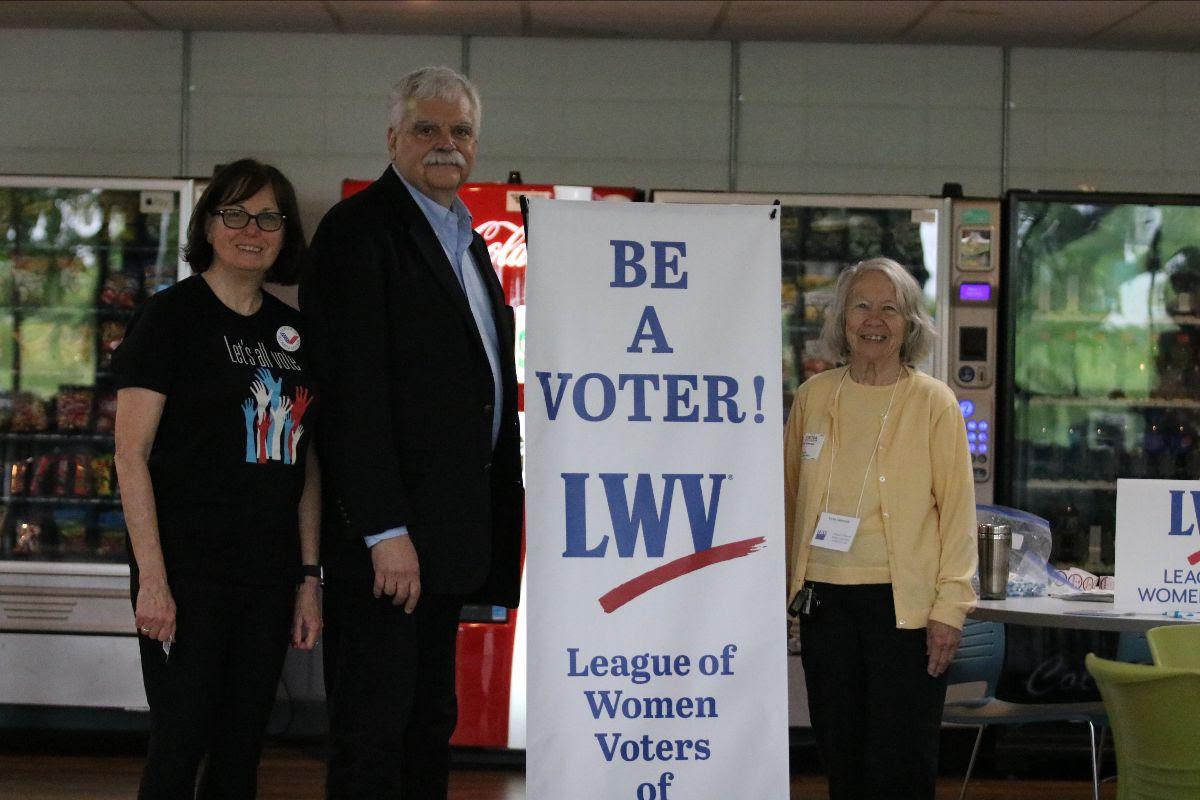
877	713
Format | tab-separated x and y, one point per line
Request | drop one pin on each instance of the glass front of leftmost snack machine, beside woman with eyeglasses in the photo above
76	258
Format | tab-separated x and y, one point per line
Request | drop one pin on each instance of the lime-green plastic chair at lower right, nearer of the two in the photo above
1154	713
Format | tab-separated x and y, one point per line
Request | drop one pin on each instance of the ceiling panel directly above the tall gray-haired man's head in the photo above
454	17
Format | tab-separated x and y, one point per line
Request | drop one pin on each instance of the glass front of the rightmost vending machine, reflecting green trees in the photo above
1105	344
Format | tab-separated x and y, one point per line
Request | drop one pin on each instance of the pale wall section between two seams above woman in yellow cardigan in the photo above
874	119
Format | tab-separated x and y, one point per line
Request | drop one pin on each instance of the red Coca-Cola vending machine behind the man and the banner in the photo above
491	657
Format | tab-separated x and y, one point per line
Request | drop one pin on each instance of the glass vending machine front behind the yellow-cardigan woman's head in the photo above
820	237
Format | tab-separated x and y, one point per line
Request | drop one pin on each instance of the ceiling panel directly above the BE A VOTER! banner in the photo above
625	20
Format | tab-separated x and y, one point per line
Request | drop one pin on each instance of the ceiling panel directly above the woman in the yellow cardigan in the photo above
854	21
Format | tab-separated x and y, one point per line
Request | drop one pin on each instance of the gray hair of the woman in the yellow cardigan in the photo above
920	332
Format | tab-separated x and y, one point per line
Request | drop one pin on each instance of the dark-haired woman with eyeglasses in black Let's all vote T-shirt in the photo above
220	488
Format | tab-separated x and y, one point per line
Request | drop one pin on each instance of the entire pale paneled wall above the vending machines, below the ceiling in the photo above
812	118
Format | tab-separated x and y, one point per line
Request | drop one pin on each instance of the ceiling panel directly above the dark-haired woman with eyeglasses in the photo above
285	17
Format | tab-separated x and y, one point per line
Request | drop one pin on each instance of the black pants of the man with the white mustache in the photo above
391	684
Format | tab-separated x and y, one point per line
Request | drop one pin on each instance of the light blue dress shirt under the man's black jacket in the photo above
454	231
